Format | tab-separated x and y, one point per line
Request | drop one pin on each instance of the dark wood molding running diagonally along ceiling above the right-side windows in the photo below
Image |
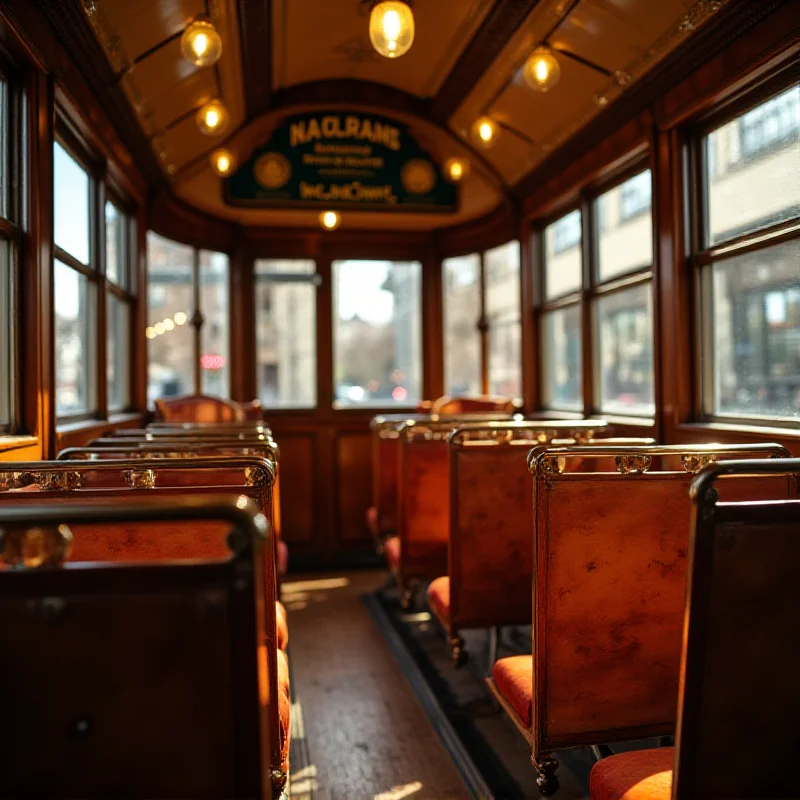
737	17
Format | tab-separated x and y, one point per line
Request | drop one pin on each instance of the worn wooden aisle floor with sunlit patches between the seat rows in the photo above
358	724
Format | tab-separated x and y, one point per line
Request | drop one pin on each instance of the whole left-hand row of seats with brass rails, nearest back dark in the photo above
145	569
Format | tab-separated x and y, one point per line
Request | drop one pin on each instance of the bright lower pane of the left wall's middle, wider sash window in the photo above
74	352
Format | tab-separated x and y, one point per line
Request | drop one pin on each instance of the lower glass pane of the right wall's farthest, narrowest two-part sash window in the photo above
563	368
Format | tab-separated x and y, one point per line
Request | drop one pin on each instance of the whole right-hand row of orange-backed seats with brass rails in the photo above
589	540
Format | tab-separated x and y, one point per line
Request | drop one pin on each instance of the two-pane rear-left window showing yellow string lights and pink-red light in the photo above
187	290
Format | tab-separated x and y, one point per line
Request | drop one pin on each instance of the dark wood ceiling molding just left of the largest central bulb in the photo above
255	35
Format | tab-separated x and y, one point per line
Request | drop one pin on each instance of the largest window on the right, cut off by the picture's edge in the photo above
750	299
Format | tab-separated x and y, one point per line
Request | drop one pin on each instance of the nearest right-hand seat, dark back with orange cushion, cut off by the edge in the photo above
739	690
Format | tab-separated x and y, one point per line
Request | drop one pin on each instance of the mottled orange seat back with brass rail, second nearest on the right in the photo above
610	576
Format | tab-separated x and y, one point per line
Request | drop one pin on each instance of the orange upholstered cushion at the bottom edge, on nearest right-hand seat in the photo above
639	775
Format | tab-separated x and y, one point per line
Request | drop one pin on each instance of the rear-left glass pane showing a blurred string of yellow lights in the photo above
171	356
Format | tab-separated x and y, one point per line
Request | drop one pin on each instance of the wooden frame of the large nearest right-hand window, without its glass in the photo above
701	256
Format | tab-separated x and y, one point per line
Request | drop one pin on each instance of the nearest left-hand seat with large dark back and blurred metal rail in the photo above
138	679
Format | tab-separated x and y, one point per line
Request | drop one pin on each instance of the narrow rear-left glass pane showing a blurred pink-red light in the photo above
215	336
